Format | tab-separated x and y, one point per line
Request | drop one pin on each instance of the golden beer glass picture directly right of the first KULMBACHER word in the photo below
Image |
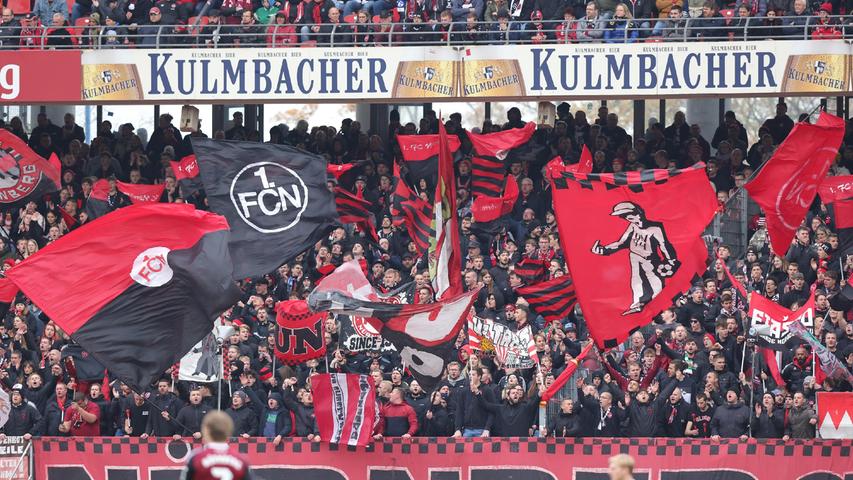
424	79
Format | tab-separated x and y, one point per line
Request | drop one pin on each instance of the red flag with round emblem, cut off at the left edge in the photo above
24	175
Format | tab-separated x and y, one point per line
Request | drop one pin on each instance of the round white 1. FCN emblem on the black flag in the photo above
269	197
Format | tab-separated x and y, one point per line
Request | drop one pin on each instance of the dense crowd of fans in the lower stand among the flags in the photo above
690	373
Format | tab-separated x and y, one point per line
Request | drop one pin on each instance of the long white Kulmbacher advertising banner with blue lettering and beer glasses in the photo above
460	74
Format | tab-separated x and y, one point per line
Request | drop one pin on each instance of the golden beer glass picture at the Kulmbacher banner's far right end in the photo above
817	73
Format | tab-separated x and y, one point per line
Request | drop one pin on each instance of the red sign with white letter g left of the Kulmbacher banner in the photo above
23	78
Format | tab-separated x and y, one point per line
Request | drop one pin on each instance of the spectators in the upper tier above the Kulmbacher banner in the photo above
282	23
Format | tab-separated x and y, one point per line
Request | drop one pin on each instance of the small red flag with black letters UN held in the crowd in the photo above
301	332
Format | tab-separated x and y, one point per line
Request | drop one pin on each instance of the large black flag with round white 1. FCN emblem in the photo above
274	197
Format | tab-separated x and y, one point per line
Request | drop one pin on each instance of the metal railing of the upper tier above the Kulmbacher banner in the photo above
602	30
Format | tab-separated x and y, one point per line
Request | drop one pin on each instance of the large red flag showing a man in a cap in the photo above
637	250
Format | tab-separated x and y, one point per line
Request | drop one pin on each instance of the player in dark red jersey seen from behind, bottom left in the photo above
216	460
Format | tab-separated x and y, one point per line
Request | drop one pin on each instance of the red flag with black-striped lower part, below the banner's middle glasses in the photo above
488	167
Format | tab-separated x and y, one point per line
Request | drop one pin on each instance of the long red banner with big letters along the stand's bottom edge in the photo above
456	459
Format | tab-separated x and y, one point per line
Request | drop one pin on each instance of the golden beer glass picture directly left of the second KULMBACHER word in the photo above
492	78
